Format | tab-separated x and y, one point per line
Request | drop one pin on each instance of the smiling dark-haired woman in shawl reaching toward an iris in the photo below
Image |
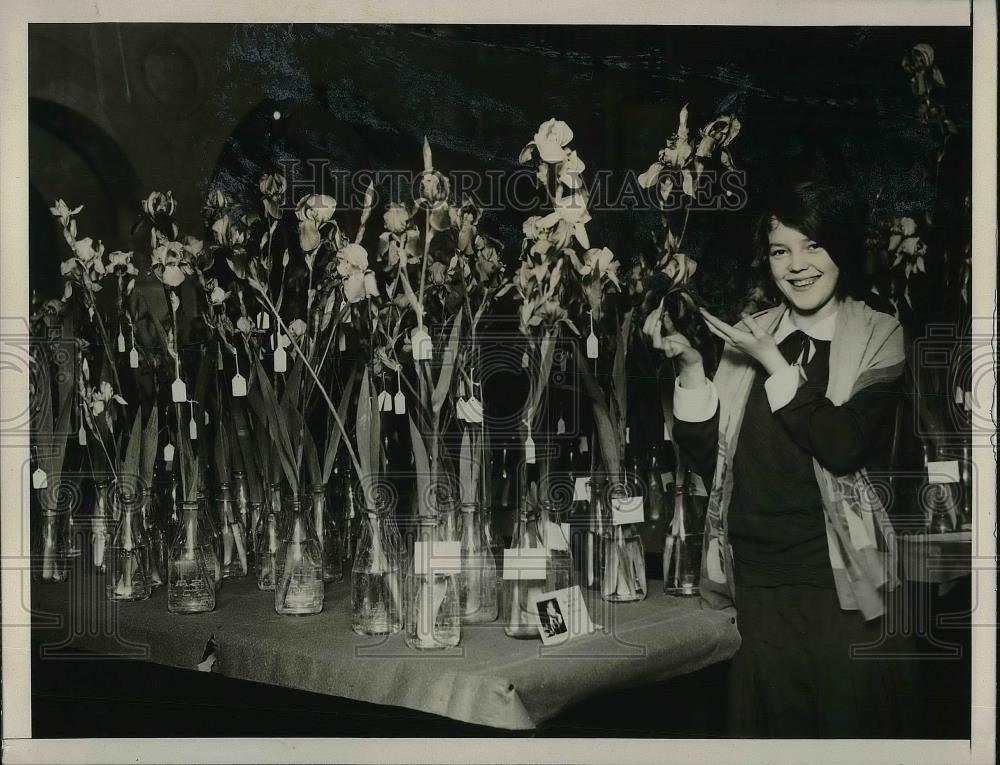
796	538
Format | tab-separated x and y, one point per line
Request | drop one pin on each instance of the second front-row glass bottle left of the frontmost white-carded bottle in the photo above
298	574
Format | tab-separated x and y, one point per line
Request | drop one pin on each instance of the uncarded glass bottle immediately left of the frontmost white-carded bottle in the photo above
376	580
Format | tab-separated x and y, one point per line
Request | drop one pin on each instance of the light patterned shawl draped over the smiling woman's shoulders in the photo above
867	348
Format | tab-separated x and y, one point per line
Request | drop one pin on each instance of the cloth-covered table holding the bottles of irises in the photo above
489	679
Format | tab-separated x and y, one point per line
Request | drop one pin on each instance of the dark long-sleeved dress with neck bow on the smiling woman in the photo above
794	675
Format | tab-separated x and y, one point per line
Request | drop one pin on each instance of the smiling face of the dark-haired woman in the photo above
803	271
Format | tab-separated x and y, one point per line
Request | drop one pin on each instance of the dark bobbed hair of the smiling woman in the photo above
828	214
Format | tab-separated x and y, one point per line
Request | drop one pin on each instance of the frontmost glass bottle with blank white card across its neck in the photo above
433	618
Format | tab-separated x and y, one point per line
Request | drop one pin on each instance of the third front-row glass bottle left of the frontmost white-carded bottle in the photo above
191	571
